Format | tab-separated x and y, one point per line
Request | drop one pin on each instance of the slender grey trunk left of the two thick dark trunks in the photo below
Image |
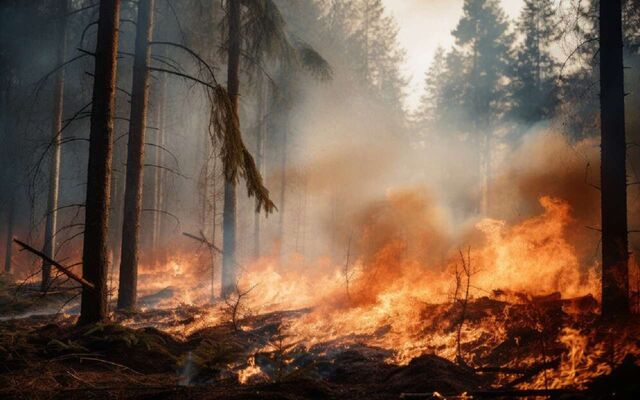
49	247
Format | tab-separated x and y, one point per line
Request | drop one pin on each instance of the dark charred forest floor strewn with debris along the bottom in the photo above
134	357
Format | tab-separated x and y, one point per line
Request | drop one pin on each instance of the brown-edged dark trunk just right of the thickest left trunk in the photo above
127	290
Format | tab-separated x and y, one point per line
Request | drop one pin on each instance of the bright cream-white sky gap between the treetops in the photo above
425	25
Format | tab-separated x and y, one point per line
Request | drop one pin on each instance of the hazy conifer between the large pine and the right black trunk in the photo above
534	87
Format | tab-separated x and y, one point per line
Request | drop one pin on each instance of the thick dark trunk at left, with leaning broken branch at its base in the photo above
94	256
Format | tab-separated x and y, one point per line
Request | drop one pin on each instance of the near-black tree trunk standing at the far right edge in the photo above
615	256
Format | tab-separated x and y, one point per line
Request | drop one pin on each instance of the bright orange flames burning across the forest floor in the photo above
408	304
